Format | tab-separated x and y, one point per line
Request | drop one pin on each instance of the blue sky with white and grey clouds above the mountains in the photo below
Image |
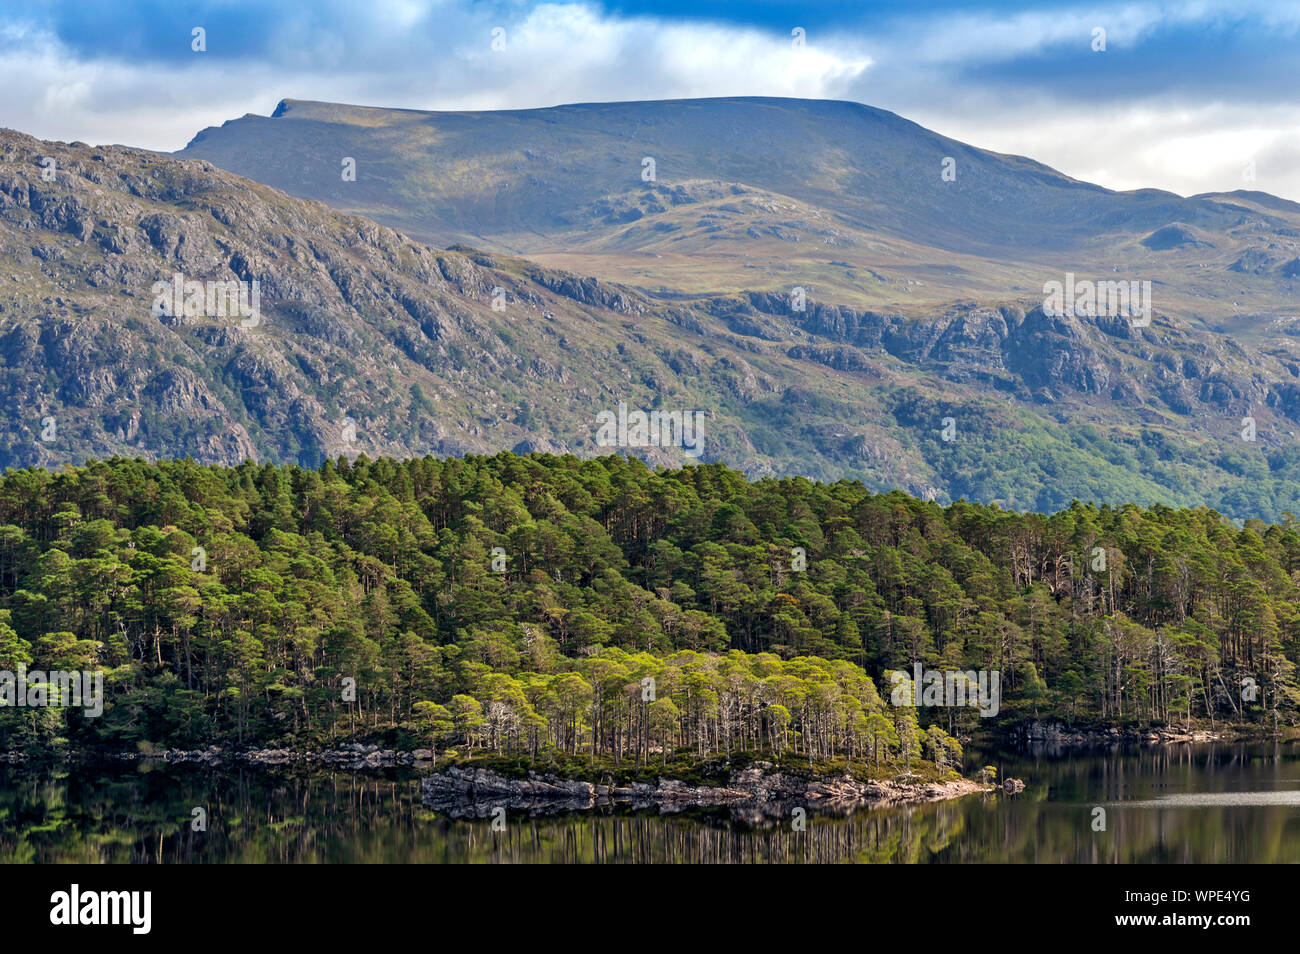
1193	97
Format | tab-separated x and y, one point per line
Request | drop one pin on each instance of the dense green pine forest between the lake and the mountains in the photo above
636	615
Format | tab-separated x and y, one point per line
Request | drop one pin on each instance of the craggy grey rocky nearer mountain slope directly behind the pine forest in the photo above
370	342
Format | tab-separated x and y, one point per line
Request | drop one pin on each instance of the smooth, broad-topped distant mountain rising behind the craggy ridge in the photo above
756	194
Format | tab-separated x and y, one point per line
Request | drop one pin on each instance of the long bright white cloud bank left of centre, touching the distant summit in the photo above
557	54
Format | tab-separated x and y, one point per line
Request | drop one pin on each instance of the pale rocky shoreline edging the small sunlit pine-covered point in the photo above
752	795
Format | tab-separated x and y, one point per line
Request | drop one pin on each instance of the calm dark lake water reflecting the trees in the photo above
1177	804
